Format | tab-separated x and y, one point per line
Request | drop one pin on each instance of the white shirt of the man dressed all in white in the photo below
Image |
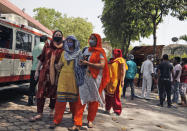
147	68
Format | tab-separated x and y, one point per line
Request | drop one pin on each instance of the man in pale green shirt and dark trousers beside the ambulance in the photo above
36	52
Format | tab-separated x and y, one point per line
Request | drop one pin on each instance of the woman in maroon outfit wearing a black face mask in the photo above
47	85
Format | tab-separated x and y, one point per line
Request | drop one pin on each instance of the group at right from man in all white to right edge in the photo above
170	78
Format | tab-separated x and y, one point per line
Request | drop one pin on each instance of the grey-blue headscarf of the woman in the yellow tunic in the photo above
76	56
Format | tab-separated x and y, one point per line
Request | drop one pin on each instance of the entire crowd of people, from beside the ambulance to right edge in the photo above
67	74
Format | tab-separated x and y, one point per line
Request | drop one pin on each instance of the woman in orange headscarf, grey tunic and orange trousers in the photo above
95	80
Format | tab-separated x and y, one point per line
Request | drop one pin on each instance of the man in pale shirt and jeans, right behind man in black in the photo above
176	79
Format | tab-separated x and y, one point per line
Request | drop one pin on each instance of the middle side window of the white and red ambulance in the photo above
23	41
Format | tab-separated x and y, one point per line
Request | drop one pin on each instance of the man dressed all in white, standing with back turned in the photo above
147	71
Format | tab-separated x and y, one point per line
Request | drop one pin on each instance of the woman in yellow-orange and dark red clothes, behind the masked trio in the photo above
117	68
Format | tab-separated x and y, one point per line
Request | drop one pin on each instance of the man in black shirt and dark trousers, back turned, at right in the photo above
164	72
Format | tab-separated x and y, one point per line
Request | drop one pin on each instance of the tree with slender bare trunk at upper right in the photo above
154	10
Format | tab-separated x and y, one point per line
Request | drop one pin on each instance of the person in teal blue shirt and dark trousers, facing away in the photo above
130	75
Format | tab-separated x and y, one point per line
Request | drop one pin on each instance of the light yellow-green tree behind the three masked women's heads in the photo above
53	20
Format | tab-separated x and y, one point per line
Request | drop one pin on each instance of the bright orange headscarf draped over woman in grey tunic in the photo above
95	58
